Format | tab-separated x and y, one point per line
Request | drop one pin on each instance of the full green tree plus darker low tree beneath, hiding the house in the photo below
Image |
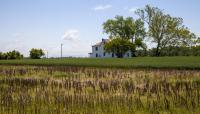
124	29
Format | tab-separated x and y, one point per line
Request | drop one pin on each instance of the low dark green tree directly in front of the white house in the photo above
119	47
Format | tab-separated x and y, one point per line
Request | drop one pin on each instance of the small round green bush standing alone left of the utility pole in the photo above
36	53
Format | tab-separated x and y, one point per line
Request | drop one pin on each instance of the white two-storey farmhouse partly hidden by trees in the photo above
98	51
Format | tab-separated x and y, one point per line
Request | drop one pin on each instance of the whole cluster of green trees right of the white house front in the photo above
168	33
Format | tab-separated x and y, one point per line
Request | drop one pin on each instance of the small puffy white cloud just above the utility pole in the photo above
71	35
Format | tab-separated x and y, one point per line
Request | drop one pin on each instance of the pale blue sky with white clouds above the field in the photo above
77	24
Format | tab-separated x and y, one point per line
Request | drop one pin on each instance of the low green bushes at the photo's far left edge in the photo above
11	55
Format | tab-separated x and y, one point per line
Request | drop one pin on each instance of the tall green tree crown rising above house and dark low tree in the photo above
125	29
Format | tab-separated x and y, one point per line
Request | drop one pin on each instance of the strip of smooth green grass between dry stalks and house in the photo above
137	62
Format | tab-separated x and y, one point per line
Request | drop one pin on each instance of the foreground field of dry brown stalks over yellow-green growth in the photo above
62	90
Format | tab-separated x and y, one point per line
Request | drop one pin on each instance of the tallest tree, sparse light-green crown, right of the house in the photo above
164	29
